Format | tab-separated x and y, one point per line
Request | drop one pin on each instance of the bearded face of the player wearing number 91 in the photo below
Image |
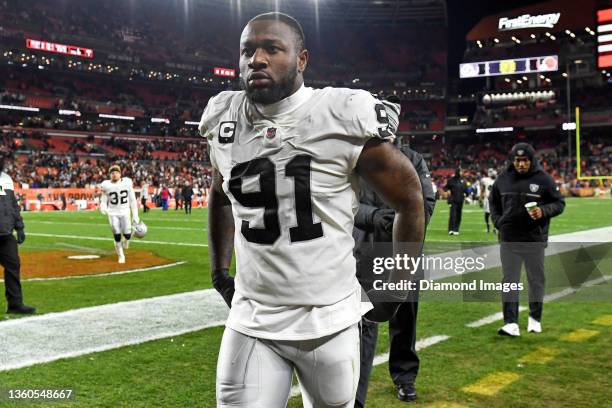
271	65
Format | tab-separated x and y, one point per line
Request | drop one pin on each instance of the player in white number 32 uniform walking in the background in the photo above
118	201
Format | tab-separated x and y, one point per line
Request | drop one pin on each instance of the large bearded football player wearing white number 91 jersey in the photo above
285	163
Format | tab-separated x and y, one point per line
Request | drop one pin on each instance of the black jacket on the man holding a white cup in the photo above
509	194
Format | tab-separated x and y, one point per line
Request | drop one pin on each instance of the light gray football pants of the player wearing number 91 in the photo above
257	373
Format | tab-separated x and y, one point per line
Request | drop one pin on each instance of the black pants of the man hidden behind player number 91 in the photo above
403	360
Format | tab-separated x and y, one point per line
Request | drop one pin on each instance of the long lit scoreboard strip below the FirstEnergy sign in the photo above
522	66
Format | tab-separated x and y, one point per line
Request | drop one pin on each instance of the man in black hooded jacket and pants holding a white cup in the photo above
522	202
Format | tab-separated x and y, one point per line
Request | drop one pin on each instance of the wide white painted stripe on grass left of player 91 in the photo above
42	339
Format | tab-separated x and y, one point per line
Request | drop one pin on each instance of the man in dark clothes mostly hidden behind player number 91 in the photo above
374	224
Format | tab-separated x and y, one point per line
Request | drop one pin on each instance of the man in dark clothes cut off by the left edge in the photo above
10	219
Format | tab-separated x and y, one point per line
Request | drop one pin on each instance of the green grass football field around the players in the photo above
180	371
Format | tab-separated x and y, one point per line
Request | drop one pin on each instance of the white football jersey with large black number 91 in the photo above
288	170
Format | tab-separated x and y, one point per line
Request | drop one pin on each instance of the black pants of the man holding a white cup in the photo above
513	255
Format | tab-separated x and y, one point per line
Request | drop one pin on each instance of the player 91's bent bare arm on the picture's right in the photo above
394	178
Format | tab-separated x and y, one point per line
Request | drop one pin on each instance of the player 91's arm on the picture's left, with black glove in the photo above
220	238
